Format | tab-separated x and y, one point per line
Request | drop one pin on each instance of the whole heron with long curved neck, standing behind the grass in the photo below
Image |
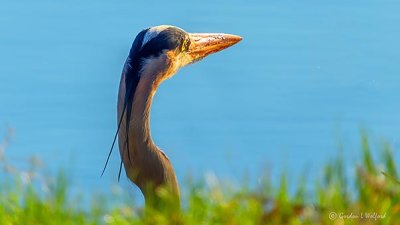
156	54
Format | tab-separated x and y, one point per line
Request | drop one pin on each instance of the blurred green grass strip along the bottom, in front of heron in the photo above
28	197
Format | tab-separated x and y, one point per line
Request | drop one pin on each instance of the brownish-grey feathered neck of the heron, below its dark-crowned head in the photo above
146	165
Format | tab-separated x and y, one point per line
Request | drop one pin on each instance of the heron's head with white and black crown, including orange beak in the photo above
168	48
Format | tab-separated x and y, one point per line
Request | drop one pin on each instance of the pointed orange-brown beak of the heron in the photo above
203	44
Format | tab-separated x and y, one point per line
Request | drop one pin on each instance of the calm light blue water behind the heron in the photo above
305	78
